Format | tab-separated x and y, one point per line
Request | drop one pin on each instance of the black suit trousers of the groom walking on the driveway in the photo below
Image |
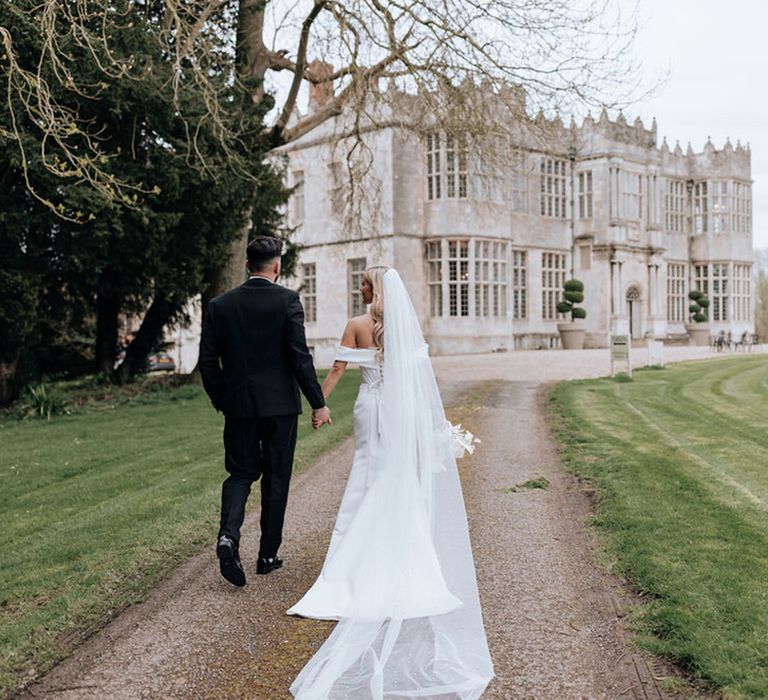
253	448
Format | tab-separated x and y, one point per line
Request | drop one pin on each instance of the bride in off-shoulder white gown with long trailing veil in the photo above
399	575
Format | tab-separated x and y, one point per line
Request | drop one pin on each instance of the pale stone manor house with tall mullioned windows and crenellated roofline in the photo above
485	258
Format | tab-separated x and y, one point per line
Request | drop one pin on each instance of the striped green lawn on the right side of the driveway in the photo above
679	459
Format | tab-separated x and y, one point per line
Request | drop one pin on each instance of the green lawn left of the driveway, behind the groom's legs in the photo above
99	506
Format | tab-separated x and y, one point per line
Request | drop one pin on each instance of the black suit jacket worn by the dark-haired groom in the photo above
253	352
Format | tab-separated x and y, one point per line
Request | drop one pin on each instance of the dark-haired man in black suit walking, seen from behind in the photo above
253	360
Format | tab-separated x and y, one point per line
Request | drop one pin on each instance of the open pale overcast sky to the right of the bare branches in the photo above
717	60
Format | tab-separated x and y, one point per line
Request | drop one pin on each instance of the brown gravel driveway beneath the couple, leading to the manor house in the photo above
553	614
